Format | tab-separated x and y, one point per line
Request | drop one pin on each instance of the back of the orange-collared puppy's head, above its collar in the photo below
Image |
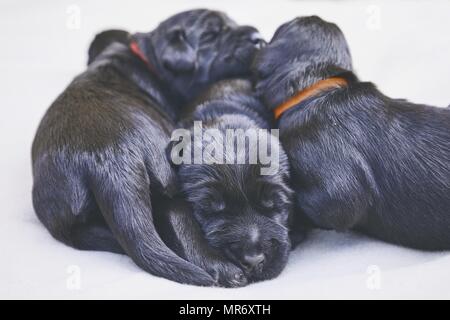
301	52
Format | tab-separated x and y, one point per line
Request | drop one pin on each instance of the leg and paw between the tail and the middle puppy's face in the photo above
181	232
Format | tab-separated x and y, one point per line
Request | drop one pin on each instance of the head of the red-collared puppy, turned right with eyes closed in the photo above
195	48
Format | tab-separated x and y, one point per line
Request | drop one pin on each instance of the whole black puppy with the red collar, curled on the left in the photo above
99	163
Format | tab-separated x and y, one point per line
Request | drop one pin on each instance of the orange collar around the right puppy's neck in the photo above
316	88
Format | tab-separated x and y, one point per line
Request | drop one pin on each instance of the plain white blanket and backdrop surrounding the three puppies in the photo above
402	46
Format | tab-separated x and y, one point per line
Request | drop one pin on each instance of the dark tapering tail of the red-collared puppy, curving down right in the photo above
123	196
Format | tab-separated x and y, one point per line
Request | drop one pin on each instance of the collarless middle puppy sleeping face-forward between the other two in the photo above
242	208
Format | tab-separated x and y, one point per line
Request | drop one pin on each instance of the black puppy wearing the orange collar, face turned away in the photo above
360	160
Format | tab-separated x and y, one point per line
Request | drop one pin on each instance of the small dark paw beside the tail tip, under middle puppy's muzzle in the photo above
227	274
